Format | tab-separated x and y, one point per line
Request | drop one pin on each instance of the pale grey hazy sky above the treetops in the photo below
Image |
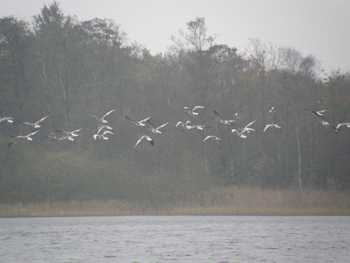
317	27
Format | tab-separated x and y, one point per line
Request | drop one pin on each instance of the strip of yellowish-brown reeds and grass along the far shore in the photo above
218	201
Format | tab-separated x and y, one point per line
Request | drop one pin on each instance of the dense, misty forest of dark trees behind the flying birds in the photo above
68	70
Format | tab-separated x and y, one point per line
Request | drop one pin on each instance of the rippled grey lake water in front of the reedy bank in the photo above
176	239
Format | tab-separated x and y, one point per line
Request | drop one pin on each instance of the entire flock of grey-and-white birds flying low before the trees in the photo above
104	130
